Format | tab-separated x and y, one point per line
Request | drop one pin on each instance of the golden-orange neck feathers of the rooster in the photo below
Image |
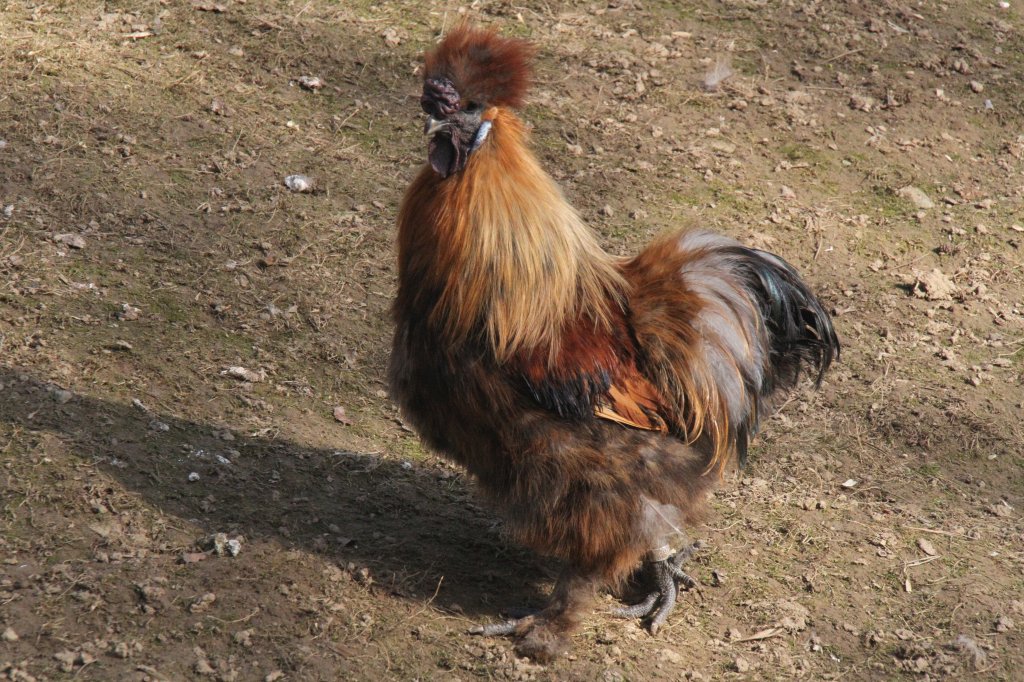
503	250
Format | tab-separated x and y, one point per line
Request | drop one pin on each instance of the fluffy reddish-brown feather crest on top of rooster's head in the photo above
484	67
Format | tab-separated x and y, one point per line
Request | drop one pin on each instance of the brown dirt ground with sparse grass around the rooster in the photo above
189	349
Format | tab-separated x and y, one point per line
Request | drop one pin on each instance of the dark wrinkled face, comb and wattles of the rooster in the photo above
452	124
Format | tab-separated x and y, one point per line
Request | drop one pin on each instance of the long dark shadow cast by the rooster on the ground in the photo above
413	526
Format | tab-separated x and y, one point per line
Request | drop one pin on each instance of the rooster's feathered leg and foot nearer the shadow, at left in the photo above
545	635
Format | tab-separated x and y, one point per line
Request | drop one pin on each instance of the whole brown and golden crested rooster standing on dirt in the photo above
595	400
